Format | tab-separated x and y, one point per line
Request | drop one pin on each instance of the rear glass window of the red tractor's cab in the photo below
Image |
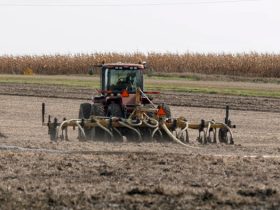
123	79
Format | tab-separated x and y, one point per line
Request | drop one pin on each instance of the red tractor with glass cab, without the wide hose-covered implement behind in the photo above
118	95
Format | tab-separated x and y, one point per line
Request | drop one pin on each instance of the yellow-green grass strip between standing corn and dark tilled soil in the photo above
161	85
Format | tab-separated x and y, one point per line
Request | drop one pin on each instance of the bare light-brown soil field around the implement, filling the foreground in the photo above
38	174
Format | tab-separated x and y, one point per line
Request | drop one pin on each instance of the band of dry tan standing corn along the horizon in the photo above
256	65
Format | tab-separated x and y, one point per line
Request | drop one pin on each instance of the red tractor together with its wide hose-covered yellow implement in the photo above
123	110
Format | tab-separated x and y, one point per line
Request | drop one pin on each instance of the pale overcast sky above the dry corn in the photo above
36	27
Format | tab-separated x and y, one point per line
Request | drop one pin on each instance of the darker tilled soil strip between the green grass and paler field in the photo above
175	99
